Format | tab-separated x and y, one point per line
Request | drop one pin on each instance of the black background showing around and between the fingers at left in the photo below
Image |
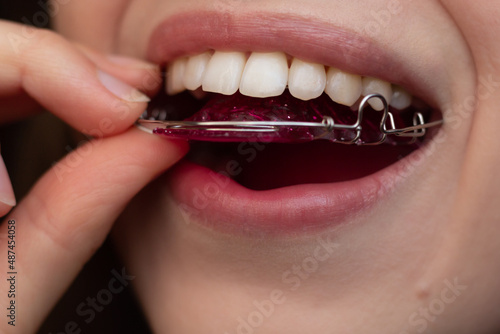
31	147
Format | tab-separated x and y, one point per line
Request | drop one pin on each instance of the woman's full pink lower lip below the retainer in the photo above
221	204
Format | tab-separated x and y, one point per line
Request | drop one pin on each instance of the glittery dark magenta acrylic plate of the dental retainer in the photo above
282	108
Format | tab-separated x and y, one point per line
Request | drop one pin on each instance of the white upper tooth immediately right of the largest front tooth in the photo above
306	81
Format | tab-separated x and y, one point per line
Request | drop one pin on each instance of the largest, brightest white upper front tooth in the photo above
265	75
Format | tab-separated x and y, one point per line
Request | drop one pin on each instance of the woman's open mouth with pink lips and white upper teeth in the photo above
293	184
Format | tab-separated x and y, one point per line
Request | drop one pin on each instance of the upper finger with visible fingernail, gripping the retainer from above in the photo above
63	80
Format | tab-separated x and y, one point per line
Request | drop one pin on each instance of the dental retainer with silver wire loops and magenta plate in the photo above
294	131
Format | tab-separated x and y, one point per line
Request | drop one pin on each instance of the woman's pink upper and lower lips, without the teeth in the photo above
223	204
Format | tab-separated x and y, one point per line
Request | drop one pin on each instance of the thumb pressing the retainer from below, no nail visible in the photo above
69	212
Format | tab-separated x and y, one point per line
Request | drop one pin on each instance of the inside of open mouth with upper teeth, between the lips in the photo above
237	86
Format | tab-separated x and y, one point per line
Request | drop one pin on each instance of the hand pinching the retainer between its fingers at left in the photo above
69	212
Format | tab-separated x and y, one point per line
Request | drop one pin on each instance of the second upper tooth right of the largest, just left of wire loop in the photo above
343	88
